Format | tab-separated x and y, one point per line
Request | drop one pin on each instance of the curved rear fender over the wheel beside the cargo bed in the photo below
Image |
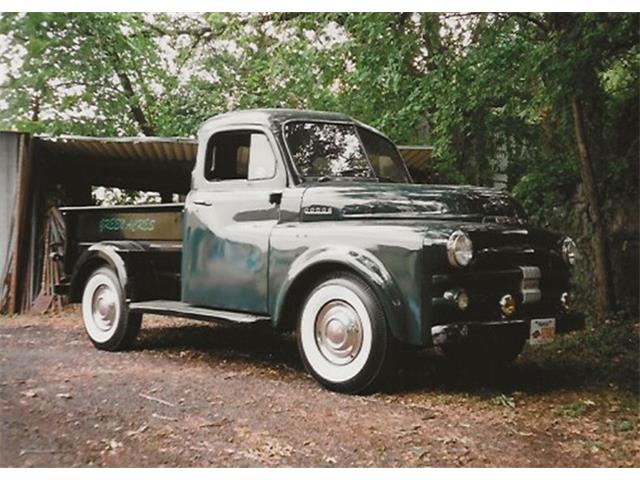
94	256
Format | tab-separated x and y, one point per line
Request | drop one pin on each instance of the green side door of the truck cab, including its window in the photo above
229	215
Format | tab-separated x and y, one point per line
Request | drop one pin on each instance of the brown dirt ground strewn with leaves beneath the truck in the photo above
193	394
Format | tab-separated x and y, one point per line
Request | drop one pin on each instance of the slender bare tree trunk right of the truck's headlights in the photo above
602	269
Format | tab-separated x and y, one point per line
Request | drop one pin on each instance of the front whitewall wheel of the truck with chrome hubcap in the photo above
342	335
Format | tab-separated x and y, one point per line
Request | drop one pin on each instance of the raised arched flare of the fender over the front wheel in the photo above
359	261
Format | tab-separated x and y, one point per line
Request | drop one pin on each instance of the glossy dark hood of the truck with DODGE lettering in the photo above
333	201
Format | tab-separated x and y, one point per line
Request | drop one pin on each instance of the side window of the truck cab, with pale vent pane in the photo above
239	156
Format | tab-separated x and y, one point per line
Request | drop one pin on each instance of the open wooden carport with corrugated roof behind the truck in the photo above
40	173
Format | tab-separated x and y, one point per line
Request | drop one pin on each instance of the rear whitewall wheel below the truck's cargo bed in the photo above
104	312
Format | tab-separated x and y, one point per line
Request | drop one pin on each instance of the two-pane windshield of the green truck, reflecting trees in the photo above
340	150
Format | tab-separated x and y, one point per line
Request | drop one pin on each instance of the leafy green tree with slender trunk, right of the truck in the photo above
536	85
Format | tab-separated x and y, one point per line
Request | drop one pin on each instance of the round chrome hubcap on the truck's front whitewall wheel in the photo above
338	332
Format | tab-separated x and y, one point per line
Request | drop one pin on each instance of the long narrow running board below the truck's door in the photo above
181	309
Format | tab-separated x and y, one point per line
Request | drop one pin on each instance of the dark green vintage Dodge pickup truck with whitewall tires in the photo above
310	221
